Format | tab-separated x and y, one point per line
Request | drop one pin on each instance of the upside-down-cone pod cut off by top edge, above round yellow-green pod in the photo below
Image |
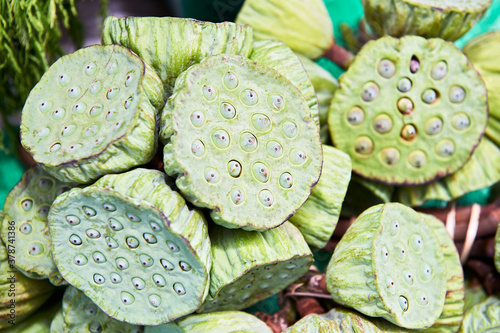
448	19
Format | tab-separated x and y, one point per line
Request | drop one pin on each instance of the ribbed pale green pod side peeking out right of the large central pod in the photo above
317	218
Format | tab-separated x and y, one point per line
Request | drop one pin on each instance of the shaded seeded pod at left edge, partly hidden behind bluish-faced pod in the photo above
26	207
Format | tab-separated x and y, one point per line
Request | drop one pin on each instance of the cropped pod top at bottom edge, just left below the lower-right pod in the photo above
336	320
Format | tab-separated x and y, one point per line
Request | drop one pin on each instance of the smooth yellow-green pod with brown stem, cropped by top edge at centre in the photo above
304	26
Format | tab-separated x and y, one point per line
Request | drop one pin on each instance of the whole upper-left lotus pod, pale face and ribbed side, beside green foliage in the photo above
92	113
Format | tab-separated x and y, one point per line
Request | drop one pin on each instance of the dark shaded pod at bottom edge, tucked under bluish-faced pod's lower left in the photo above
83	315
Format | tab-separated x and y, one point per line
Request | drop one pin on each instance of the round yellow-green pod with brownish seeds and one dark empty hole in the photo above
398	134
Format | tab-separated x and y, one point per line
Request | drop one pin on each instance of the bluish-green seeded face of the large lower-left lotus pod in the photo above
122	254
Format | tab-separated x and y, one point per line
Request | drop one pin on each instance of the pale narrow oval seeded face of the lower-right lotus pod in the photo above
409	267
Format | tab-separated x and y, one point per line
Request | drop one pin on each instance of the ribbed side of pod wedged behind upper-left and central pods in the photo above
174	44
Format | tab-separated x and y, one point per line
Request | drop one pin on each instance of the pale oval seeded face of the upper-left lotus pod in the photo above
84	102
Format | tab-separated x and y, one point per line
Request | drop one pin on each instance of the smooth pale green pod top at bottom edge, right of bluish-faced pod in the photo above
215	322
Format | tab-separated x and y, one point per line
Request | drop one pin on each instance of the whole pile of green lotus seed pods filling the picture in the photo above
258	147
